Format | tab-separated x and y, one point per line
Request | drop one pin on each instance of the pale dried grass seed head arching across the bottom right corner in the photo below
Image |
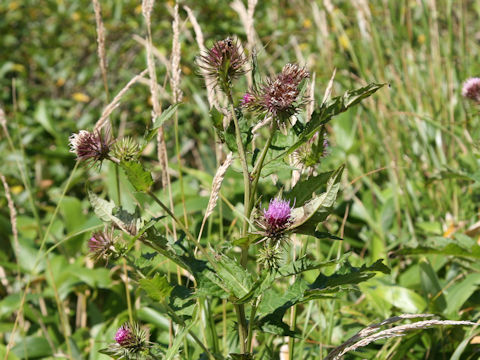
371	333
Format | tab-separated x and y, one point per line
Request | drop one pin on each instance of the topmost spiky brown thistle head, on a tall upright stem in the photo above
223	63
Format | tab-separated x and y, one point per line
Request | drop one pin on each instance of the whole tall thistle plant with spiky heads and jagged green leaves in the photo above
229	272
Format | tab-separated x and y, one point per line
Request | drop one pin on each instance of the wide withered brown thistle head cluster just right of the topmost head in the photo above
279	94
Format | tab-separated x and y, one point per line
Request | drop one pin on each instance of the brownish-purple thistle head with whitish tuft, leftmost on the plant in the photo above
90	146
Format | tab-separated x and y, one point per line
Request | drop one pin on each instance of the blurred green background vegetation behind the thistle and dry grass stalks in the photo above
410	191
